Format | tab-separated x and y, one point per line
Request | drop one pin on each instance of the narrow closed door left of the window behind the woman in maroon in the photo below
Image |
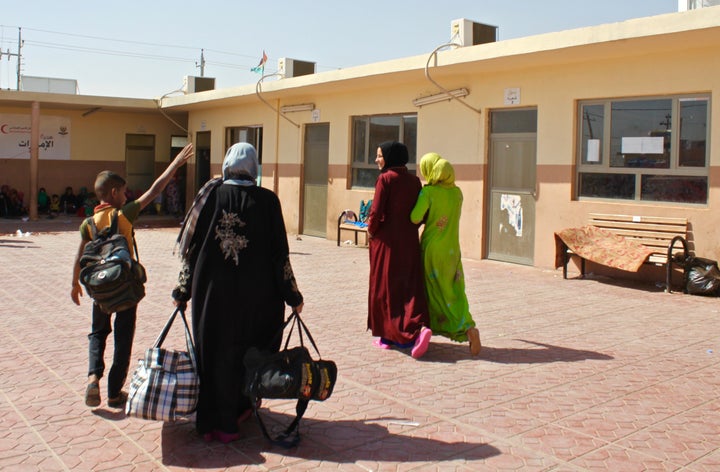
315	155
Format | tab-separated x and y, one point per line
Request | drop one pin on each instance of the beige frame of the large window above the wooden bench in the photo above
605	165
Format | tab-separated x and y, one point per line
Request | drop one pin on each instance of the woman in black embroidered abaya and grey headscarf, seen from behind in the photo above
236	269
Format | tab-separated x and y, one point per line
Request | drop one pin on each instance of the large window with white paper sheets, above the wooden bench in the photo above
644	149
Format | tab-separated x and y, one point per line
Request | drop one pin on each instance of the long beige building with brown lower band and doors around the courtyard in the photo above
542	131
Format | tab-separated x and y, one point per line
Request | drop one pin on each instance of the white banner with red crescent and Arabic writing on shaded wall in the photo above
15	133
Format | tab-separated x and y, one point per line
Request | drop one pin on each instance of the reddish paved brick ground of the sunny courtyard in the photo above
574	374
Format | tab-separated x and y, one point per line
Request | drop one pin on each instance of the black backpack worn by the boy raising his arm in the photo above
113	279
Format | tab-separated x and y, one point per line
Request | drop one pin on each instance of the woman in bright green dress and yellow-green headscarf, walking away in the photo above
438	206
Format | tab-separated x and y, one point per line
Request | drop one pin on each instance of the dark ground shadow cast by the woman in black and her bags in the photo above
345	441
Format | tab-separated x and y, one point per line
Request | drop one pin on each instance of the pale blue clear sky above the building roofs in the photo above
145	49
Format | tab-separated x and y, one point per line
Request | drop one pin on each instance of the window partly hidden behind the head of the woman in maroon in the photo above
370	131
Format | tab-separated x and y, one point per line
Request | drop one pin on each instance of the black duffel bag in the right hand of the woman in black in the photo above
288	374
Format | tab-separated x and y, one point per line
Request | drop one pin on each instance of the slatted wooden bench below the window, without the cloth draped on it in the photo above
659	233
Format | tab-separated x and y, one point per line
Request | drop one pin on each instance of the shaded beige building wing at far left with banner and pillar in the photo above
82	135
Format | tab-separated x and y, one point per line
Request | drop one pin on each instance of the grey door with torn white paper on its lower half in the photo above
512	186
